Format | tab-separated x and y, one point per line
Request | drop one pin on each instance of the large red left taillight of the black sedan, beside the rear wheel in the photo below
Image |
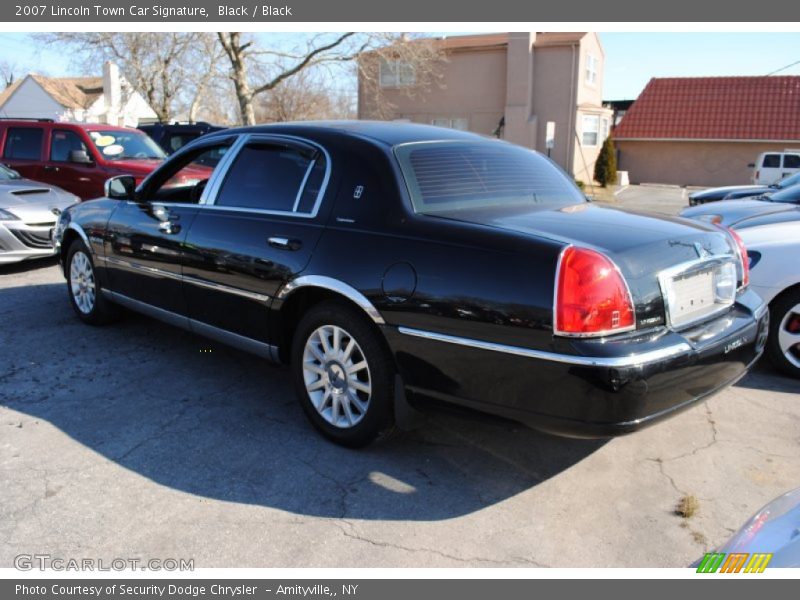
591	295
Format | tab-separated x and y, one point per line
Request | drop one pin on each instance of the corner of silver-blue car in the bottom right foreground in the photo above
773	530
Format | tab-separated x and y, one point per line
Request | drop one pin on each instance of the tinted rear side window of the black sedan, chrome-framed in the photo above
271	177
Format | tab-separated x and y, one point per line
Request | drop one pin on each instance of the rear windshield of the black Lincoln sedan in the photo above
443	176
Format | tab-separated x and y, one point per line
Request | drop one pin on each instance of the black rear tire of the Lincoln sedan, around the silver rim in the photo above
378	418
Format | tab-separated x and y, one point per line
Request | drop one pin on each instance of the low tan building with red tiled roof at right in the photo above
707	130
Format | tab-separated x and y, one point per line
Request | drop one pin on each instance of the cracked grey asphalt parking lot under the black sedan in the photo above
139	440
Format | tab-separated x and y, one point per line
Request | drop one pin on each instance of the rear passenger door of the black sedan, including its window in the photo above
259	229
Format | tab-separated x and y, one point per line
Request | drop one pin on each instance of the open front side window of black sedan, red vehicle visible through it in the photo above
187	178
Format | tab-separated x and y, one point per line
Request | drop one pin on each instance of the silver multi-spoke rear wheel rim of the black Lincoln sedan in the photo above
336	376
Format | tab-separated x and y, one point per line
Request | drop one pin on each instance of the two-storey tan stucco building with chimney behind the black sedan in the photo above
508	85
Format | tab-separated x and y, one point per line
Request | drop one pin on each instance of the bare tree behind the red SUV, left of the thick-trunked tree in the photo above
171	70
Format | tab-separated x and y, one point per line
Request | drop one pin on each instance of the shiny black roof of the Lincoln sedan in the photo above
390	133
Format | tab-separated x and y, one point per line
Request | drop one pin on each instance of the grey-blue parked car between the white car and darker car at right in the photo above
730	212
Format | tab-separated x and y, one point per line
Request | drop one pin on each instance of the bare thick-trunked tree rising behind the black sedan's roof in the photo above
256	71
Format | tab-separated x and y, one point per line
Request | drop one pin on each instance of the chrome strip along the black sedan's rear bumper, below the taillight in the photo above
634	360
